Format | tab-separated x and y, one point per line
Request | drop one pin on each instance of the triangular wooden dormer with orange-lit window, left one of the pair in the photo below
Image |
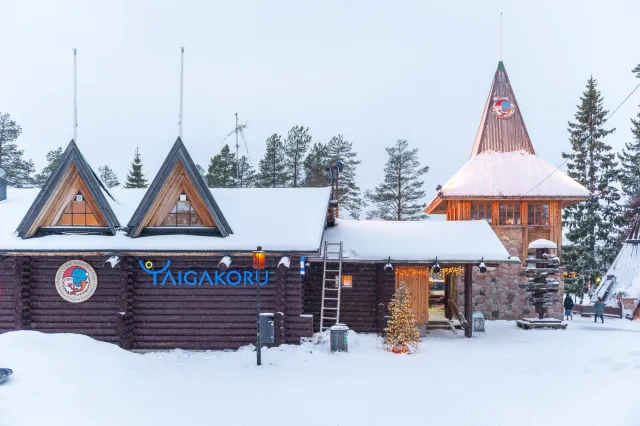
71	201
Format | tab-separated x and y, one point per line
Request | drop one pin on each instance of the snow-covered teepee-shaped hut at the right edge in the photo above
622	281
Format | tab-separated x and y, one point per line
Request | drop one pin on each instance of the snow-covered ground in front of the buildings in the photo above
585	375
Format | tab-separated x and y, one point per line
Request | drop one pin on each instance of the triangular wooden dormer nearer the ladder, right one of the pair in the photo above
178	201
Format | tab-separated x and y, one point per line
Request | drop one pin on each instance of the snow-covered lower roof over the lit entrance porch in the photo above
419	241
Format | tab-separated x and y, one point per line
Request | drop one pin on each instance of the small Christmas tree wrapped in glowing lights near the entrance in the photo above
402	334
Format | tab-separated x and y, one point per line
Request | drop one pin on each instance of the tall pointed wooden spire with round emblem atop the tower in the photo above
502	127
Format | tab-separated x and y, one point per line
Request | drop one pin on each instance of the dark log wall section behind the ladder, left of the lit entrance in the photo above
363	307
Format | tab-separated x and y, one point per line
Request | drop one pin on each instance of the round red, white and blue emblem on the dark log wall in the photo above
76	281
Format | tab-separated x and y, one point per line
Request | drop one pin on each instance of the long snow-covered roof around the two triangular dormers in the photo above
278	219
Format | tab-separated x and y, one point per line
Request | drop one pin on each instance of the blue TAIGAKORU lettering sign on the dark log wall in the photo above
195	278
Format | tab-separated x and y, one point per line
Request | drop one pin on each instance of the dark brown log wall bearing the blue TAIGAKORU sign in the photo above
128	310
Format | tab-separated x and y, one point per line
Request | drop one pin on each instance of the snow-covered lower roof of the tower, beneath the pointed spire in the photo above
511	174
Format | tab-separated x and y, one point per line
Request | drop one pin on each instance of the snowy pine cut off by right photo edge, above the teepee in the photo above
630	168
